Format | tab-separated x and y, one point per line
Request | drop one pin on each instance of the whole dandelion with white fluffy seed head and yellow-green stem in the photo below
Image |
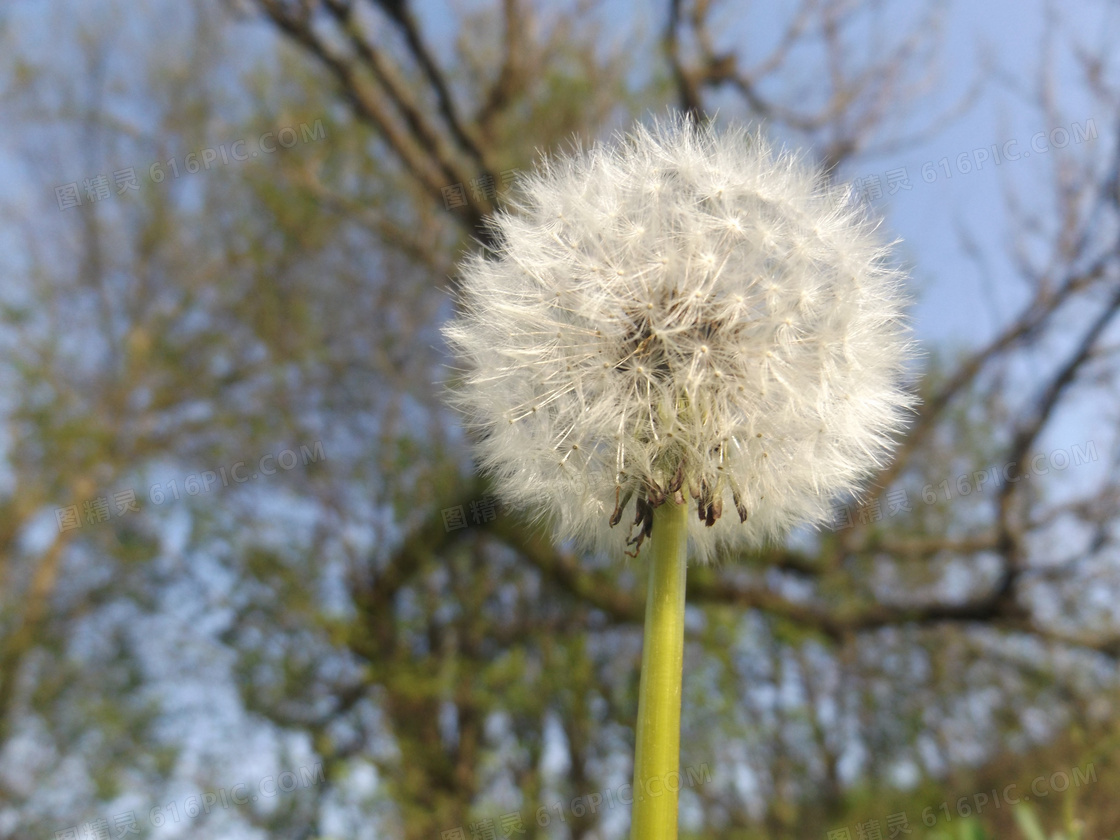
680	321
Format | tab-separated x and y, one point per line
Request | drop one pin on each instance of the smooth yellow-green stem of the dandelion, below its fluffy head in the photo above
658	748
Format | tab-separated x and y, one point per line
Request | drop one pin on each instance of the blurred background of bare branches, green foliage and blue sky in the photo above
250	584
